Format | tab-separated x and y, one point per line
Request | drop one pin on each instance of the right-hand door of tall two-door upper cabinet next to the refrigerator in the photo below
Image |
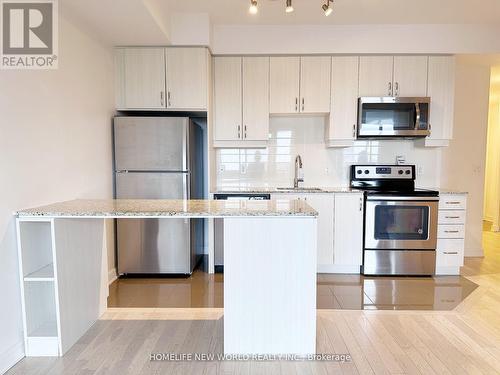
255	98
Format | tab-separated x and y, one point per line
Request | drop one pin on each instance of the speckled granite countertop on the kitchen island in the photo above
114	208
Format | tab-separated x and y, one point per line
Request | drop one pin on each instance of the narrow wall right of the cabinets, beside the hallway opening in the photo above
464	161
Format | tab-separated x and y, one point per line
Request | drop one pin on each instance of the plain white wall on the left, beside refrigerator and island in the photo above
55	144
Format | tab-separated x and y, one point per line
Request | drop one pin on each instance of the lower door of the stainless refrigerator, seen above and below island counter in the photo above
154	245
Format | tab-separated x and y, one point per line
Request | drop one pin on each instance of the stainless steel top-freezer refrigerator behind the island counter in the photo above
158	158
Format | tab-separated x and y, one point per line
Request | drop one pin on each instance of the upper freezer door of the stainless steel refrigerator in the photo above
151	143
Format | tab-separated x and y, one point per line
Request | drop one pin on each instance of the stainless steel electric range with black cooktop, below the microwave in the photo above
400	232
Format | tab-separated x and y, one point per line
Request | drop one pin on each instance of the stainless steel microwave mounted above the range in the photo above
380	117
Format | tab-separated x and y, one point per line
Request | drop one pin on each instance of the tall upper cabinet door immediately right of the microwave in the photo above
441	90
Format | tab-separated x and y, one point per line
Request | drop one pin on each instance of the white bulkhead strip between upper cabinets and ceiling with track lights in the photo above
354	39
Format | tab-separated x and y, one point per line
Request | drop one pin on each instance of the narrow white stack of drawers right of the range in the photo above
451	234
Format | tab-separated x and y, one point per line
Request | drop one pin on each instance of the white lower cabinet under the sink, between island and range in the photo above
340	229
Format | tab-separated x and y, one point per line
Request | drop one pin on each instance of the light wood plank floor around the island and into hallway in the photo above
463	341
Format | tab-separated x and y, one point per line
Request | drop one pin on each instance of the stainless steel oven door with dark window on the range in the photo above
401	223
